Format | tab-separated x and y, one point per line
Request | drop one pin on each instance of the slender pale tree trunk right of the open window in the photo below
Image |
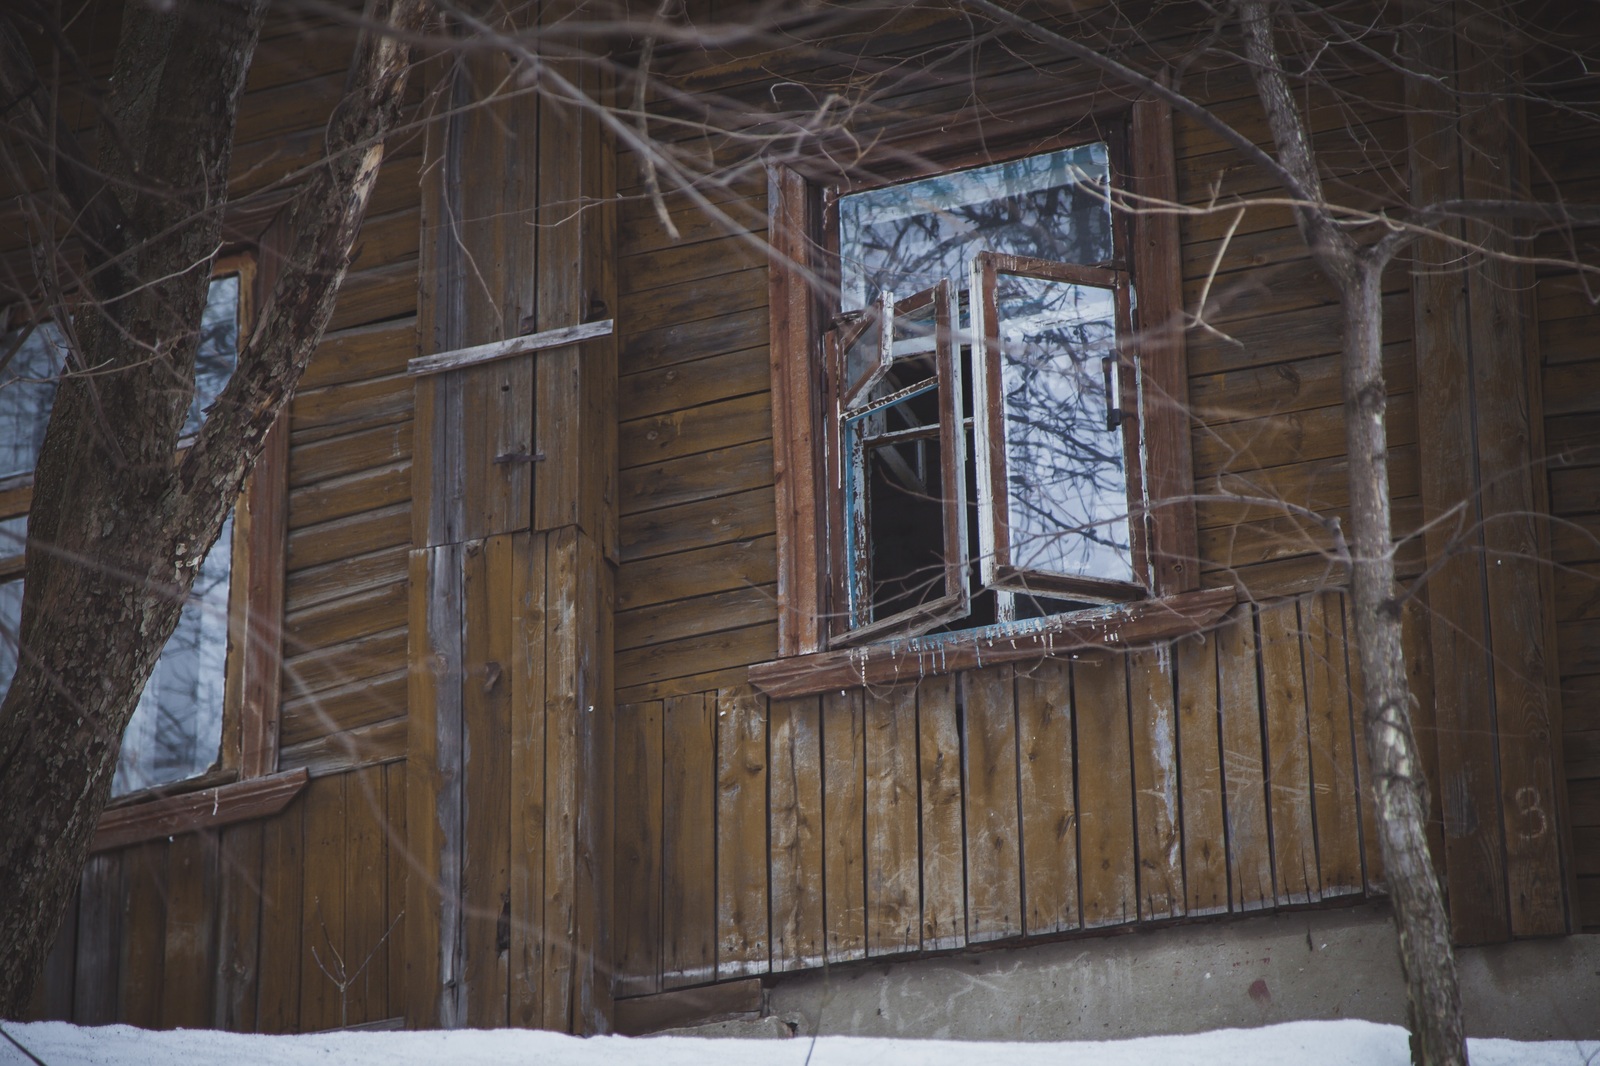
1399	787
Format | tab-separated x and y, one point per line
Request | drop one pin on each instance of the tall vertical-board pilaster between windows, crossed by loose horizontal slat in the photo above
511	583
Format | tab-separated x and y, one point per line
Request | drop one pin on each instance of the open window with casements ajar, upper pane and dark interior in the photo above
983	406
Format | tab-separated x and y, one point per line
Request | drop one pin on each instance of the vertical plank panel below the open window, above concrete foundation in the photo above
1004	804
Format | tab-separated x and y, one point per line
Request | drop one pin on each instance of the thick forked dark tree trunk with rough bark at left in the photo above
119	523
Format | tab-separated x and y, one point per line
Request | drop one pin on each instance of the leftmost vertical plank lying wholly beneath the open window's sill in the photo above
796	782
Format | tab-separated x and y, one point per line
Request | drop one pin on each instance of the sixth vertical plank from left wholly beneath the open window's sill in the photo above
1049	798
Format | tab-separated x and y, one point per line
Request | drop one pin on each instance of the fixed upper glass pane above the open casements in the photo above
910	238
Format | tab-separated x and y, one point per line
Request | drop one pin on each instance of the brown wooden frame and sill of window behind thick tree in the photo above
247	782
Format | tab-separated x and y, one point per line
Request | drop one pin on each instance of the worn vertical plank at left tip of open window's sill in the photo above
743	934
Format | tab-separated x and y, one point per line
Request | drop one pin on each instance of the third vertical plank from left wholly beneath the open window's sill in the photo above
892	862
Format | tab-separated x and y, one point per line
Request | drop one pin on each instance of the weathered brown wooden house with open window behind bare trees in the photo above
727	641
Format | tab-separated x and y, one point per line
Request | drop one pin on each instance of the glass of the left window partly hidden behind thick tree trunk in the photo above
177	732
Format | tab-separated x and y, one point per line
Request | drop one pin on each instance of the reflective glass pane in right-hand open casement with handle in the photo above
1068	510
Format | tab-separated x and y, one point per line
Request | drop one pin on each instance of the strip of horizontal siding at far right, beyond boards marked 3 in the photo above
1570	371
